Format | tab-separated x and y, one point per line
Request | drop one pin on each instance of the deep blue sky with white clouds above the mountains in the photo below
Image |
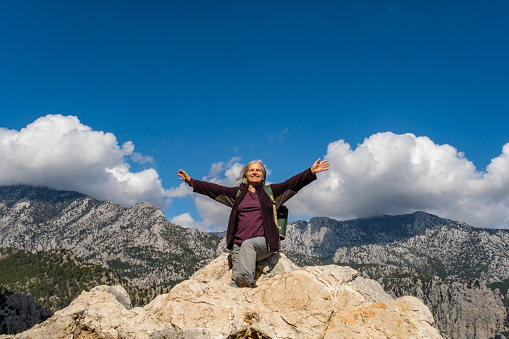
408	100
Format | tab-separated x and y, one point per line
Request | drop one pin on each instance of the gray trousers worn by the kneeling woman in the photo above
245	256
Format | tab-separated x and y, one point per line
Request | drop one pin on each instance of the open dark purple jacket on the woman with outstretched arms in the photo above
228	196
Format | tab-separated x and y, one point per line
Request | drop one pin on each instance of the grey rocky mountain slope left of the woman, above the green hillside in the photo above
137	242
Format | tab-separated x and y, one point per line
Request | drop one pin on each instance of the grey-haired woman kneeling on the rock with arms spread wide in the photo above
252	233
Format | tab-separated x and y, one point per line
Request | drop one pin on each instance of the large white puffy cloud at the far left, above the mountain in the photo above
60	152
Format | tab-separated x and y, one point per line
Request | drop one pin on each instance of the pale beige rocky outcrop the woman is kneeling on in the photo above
288	302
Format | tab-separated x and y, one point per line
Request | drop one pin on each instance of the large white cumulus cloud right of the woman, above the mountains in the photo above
395	174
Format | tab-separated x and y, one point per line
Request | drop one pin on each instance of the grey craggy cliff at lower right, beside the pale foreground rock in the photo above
461	309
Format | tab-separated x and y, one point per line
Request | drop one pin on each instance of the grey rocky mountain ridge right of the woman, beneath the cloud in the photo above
437	246
